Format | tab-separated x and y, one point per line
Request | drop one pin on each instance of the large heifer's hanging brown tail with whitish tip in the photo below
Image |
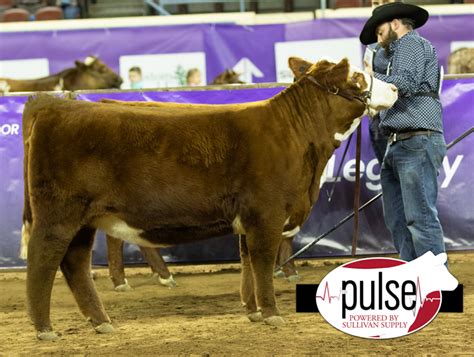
29	115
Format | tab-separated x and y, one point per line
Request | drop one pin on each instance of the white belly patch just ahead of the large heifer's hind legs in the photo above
119	229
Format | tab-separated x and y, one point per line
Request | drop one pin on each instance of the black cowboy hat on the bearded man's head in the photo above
388	12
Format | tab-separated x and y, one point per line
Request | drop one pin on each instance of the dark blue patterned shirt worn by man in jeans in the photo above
414	68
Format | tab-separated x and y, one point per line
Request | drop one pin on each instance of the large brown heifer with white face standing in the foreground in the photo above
166	178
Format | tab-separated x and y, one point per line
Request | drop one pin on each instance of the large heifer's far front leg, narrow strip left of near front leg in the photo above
247	290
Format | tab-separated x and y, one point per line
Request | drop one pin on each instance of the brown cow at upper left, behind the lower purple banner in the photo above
90	74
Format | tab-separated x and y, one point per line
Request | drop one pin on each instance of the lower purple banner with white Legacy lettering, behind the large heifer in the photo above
455	180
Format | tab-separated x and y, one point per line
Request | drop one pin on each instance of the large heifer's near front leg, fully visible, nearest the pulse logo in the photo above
262	243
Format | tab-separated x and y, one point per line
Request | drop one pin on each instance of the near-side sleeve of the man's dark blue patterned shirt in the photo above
407	68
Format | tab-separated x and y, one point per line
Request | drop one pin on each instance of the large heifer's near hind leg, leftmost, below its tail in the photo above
46	248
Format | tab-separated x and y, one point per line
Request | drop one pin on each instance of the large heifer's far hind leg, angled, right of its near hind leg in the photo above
76	269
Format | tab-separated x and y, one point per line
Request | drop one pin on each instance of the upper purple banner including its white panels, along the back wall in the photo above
258	52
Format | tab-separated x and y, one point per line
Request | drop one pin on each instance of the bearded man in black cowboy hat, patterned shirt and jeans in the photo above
416	145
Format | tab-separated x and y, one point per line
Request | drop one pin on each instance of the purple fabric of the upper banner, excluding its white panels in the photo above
224	45
